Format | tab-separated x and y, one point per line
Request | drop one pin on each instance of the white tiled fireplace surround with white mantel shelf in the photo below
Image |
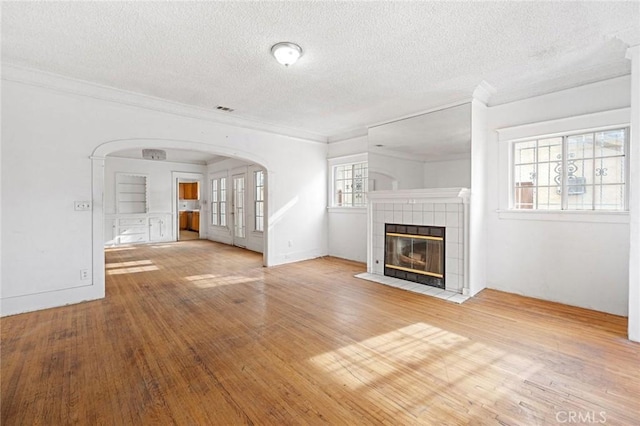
448	207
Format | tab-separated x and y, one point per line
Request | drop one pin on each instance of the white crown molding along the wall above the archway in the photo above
68	85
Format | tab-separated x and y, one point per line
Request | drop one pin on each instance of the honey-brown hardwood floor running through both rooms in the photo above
201	333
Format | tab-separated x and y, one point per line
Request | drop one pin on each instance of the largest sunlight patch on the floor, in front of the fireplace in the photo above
417	364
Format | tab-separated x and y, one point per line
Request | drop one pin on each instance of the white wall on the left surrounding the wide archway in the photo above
48	137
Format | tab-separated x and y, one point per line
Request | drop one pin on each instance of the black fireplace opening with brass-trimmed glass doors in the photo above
415	253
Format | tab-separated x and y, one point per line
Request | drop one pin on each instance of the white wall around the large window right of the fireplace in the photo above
577	259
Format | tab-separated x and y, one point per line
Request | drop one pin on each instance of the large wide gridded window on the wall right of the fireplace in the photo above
586	171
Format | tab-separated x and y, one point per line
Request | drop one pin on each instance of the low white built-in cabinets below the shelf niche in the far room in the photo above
138	228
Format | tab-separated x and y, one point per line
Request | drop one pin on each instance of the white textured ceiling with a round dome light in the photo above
363	63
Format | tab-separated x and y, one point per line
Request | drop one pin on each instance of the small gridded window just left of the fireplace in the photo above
350	185
